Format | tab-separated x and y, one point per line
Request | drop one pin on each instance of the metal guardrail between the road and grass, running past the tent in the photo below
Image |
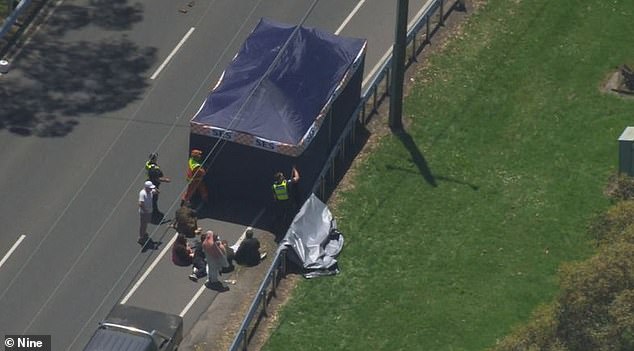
371	97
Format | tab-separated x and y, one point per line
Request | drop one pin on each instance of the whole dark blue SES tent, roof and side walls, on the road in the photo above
283	101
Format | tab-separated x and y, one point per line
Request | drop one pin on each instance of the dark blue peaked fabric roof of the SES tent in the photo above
277	90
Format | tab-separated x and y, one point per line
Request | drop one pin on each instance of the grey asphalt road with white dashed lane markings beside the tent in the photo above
89	96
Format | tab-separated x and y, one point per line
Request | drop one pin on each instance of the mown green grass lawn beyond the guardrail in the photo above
511	123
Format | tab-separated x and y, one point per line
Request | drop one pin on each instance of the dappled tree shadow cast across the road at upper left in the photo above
56	80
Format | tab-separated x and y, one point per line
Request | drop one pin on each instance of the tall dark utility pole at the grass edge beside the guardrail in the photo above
398	66
